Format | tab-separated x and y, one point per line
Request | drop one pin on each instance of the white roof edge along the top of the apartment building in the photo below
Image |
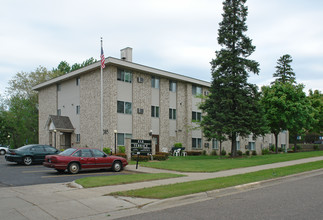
125	64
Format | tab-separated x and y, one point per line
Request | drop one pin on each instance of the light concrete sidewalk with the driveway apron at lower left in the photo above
65	201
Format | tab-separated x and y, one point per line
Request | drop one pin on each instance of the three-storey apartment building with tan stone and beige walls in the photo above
138	102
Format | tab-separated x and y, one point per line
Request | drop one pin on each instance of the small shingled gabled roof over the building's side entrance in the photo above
59	123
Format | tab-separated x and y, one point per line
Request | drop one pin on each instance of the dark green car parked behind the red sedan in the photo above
28	154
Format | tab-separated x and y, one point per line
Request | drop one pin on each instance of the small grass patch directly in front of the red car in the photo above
97	181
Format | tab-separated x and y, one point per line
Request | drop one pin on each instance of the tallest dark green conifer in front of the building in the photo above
233	106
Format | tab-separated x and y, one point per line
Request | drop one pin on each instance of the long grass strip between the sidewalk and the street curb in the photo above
179	189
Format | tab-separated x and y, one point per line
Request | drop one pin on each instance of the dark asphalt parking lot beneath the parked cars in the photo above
12	174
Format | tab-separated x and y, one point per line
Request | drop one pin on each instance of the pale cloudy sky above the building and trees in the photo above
179	36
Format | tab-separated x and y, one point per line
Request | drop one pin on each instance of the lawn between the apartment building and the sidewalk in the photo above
214	164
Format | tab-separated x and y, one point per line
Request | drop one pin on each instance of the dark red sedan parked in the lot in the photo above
75	160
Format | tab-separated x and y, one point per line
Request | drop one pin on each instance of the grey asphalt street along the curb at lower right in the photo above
296	198
